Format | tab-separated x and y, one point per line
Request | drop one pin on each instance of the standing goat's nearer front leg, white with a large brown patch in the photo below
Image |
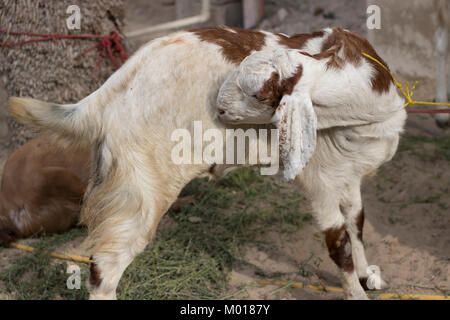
332	223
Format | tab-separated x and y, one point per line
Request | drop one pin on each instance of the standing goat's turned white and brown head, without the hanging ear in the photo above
253	91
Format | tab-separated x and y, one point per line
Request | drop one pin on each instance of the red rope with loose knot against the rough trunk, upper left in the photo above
105	42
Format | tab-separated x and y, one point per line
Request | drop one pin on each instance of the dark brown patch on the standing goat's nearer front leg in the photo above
337	239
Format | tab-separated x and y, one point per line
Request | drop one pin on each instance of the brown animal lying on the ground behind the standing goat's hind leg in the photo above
42	190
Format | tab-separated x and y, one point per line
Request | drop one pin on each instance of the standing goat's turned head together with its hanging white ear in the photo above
264	89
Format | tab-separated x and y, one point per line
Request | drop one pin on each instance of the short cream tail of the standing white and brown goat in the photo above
72	123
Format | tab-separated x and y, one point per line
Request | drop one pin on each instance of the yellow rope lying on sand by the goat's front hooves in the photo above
383	296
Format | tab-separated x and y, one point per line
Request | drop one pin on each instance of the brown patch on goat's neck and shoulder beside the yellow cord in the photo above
350	46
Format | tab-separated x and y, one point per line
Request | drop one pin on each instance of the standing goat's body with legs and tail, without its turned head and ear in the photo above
175	80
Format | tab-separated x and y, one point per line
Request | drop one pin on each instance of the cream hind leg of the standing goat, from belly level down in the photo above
117	234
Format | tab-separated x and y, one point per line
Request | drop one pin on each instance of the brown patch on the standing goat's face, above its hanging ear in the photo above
274	89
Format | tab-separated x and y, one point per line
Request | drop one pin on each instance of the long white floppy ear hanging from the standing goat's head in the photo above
297	126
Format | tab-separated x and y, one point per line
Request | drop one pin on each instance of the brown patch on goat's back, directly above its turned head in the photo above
236	43
